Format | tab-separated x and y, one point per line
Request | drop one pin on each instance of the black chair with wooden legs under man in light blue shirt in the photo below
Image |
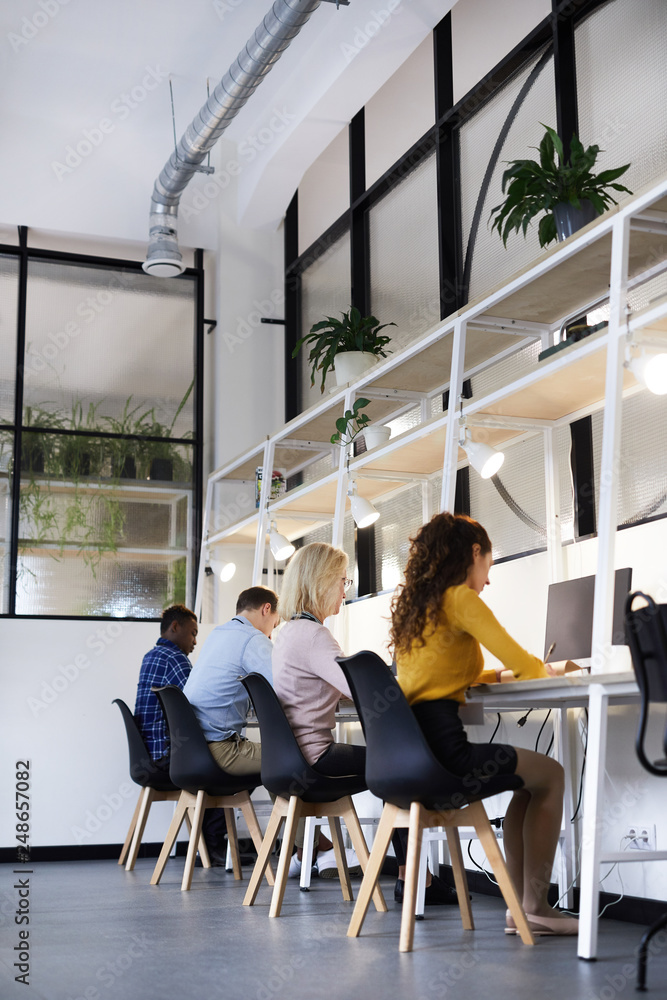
204	785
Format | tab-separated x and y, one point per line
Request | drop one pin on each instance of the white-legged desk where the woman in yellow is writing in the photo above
595	692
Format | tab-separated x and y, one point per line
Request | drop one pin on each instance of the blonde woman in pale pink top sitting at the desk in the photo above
309	682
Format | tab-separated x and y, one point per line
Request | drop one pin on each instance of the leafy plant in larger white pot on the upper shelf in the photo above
348	346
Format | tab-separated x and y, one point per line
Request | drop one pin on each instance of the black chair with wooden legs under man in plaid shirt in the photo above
156	784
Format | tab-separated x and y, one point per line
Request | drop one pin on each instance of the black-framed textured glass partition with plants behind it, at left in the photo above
99	438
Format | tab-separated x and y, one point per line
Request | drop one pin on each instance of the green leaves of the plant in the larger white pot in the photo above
332	336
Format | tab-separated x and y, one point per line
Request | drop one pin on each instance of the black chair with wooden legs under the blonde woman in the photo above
300	791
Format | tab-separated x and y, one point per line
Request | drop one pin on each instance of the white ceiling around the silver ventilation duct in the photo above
94	75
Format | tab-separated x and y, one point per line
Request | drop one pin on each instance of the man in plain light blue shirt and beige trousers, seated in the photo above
213	689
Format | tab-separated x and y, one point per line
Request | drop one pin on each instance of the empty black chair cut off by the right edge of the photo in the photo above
646	635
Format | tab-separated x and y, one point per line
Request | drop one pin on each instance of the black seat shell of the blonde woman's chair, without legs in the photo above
285	771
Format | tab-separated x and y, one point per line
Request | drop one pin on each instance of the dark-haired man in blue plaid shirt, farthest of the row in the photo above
166	663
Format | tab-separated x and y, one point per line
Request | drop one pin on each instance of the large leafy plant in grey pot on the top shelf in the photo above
568	192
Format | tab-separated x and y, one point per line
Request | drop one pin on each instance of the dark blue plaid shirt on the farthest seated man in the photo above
164	664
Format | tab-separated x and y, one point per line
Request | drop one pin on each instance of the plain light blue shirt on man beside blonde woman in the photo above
219	699
